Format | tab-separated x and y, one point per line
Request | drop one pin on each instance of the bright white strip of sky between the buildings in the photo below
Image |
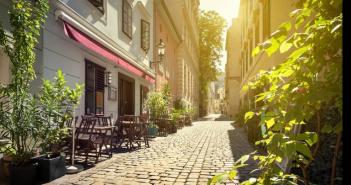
228	9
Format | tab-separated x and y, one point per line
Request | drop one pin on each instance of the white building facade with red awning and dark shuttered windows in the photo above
104	44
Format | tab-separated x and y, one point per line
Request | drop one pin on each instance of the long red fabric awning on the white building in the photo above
93	45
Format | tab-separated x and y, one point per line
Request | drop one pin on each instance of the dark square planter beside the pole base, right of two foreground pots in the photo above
51	168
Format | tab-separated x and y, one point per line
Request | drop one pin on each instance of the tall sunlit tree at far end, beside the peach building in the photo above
211	27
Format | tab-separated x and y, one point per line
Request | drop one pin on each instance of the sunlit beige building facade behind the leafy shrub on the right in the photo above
256	21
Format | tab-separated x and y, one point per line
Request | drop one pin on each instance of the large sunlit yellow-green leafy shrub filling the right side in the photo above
295	92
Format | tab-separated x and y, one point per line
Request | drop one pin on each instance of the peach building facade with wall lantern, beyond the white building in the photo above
176	24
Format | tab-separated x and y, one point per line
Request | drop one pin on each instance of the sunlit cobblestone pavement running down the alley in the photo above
191	156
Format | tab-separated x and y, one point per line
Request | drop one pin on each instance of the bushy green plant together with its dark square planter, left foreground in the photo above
57	103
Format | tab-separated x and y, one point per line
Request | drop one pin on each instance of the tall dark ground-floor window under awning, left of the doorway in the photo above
94	88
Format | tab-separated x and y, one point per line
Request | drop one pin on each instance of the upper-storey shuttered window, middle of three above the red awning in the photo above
127	18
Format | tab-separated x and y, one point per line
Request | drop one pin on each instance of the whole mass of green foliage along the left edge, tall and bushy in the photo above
28	120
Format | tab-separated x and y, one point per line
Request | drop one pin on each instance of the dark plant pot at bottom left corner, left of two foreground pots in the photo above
23	174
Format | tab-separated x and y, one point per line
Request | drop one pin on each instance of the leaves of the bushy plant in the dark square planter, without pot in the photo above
57	102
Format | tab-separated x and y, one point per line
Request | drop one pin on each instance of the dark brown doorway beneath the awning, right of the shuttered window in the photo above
125	95
